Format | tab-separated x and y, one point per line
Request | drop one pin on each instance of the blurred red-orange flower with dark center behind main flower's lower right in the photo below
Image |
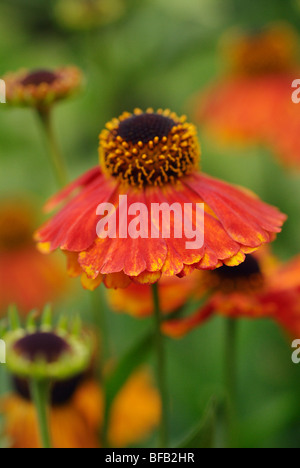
259	288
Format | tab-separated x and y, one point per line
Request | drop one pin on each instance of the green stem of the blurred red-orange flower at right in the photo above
231	381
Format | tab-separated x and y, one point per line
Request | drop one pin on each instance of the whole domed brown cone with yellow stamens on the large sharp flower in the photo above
149	148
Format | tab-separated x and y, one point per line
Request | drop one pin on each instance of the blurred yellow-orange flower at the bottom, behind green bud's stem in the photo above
77	413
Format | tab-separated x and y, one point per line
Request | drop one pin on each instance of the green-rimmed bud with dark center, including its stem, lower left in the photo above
43	354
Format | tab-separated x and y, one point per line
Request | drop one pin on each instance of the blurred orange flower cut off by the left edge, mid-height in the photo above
27	278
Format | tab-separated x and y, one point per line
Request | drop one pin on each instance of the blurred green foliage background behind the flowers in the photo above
159	53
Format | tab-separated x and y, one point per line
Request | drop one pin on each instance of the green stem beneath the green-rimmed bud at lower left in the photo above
40	394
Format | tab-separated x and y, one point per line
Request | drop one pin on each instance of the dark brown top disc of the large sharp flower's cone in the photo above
145	127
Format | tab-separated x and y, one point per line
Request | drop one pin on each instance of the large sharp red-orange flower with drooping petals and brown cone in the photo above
152	158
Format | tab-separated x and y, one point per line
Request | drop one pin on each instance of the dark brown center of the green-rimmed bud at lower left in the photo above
43	345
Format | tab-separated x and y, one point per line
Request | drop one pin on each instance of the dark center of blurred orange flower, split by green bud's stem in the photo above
61	392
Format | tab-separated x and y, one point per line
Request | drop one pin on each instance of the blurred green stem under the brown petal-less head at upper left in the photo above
56	158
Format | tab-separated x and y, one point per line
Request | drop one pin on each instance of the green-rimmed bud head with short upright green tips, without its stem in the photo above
45	351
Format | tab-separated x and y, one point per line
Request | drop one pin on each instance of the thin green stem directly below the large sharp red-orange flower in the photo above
161	369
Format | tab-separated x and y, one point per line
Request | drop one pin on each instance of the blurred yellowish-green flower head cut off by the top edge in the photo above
82	15
